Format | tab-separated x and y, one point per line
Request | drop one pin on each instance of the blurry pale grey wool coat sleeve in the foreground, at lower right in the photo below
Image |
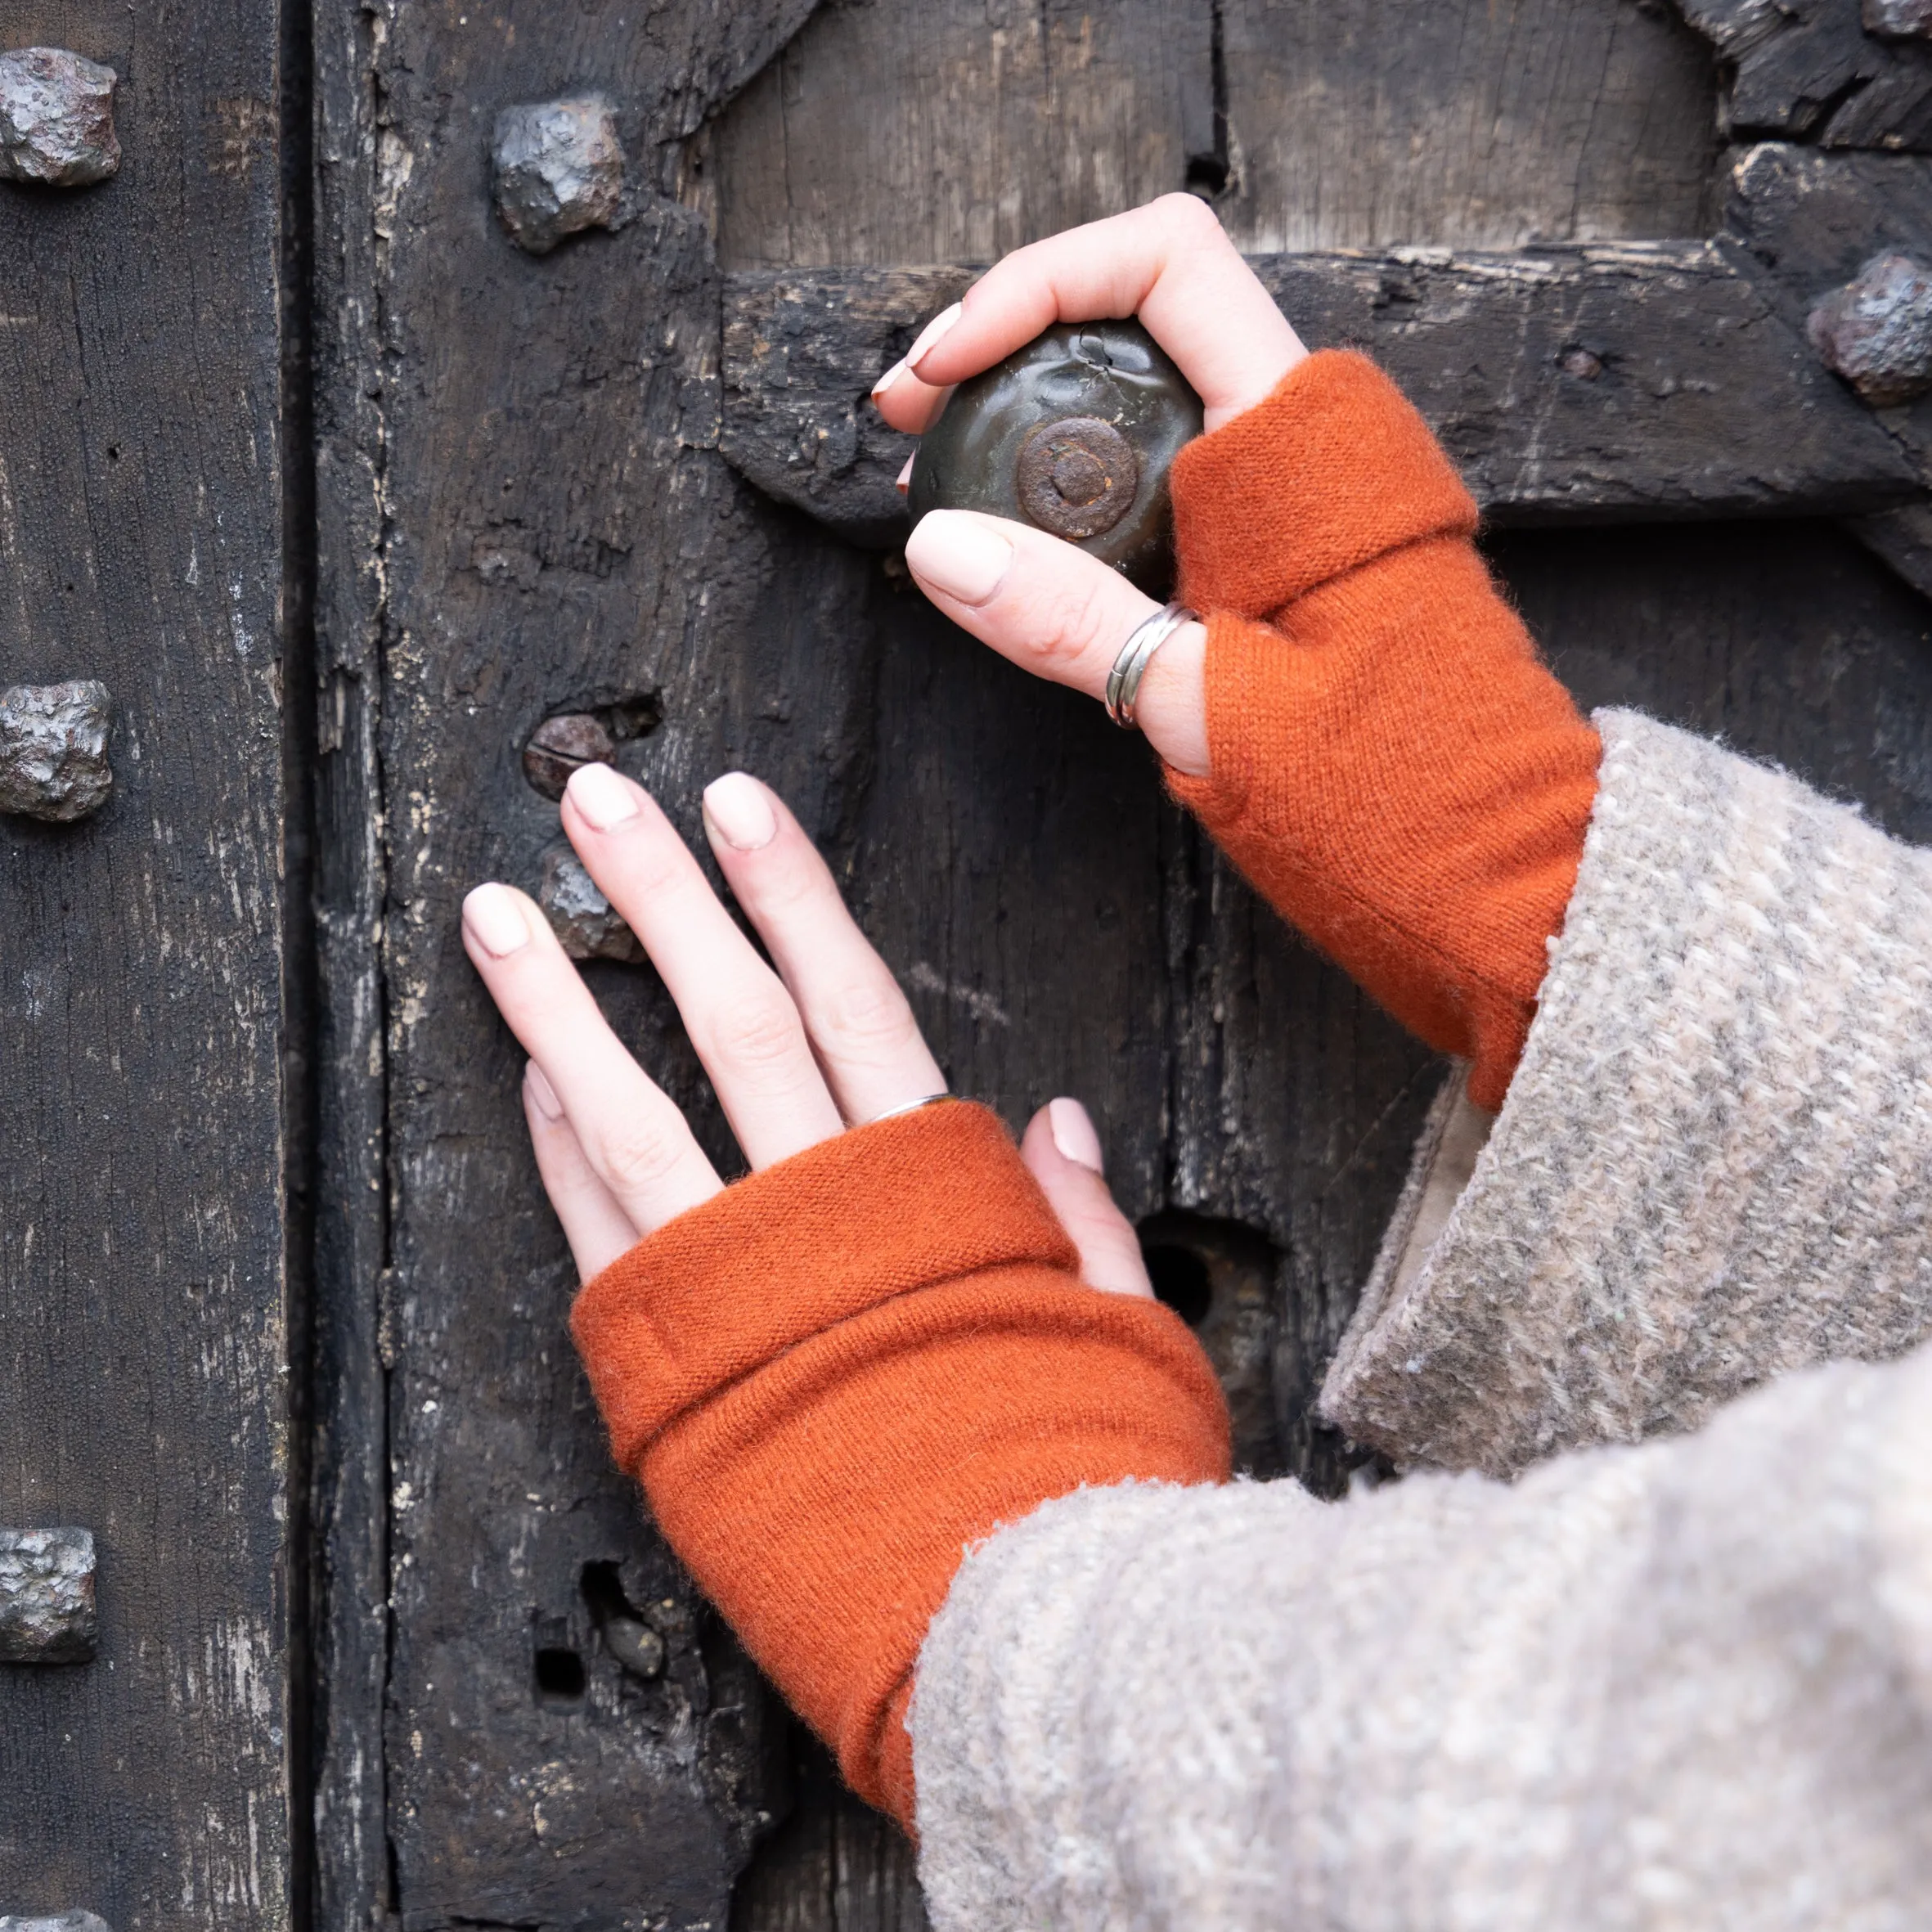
1684	1688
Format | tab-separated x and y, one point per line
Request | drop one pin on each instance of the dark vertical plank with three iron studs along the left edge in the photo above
142	1324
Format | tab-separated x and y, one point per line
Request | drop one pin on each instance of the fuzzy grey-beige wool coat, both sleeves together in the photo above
1672	1688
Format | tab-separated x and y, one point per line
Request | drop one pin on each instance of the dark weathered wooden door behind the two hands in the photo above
343	494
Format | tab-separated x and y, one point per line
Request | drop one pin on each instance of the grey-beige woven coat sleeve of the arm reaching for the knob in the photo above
1715	1162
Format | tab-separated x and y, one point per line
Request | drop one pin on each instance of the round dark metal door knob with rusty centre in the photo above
1073	434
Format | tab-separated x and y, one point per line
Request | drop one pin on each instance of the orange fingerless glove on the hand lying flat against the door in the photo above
841	1373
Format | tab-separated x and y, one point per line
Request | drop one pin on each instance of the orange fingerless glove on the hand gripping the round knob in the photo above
1392	764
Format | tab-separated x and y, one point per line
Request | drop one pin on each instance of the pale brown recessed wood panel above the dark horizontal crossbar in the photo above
899	134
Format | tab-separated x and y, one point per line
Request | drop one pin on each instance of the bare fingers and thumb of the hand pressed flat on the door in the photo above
795	1056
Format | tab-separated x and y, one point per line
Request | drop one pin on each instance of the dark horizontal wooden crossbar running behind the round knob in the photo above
1605	382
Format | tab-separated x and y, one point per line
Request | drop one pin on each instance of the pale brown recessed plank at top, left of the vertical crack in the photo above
895	132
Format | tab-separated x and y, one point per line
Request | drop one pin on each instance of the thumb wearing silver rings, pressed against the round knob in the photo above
1062	615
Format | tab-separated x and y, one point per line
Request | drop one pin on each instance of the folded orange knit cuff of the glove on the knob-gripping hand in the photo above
1332	470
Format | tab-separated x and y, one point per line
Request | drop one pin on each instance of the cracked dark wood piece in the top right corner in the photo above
1809	71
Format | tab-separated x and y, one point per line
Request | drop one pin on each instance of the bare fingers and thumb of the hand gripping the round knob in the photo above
1044	604
